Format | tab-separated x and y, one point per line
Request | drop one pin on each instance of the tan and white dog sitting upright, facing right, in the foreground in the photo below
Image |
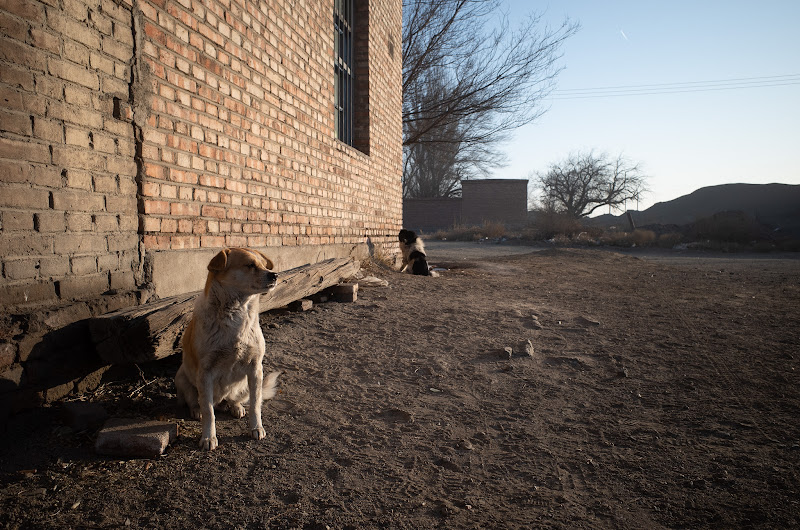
223	346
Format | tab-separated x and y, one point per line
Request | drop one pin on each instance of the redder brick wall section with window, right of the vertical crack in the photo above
239	146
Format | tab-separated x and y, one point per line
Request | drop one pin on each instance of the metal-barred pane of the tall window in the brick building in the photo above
343	69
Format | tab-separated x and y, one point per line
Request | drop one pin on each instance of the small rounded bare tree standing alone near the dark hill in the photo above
585	182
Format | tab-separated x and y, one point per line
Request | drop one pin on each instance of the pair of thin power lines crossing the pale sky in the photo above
677	88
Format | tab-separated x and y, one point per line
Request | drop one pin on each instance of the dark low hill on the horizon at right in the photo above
774	205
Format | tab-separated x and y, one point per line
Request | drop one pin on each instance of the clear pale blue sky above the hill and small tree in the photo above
698	136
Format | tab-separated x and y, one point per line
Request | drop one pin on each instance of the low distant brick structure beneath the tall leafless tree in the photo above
488	200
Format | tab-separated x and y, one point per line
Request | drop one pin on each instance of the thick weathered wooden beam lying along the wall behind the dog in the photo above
152	331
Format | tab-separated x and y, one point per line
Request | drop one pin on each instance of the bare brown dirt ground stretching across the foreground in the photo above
662	390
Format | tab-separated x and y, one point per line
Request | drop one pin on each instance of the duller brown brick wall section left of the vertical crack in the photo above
68	219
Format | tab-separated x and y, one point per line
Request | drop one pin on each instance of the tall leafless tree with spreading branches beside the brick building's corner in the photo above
469	79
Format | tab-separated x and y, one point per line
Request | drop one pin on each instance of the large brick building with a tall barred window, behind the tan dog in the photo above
137	137
